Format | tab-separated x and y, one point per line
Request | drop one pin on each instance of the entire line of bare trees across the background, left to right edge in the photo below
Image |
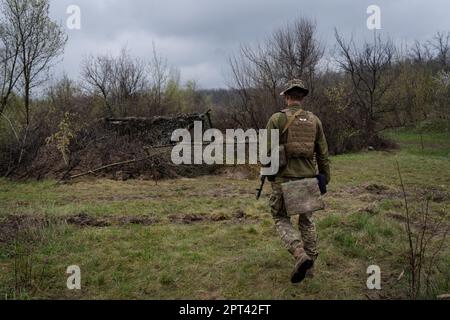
358	89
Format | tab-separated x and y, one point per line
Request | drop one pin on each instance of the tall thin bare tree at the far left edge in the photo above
30	42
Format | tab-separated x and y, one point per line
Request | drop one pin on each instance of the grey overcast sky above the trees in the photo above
197	36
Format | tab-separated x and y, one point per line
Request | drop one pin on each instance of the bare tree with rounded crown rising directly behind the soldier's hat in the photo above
259	71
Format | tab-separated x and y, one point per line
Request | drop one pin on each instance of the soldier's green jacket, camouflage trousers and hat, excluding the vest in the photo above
305	237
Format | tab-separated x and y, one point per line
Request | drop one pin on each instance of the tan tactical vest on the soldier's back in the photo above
301	130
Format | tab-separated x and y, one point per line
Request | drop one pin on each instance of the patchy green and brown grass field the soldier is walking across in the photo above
208	238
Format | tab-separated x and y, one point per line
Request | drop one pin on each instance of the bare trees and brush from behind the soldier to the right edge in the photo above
364	88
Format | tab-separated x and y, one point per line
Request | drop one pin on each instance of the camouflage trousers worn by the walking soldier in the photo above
305	236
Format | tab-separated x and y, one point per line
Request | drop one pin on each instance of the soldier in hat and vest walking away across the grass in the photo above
301	134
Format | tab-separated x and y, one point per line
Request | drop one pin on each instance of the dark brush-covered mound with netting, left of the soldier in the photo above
112	141
